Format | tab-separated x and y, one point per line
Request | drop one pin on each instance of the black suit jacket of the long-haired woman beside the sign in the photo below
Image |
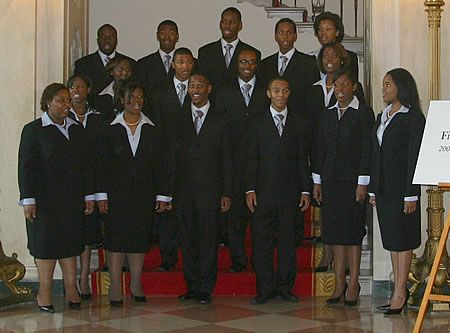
394	163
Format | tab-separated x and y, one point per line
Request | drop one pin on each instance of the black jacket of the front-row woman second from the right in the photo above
344	146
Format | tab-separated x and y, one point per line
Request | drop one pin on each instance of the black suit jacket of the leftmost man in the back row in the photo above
92	66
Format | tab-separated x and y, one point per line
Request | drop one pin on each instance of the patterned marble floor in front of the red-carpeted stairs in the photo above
225	314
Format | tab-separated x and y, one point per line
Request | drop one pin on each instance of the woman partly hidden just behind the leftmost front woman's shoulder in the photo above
79	88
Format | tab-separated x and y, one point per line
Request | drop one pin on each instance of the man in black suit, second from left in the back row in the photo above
155	69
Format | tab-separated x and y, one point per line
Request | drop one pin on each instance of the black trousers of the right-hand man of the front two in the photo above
274	225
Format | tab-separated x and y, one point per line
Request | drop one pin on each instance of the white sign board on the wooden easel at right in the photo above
433	165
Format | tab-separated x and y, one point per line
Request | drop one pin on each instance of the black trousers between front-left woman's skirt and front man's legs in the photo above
167	232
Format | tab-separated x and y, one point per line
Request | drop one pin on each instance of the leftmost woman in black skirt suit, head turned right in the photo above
56	190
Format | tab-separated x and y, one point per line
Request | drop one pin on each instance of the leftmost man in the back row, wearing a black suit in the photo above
93	65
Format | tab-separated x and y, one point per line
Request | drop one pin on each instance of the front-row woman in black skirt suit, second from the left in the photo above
130	174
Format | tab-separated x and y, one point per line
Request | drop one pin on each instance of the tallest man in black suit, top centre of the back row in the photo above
218	59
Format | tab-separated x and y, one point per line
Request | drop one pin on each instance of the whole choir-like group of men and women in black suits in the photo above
198	147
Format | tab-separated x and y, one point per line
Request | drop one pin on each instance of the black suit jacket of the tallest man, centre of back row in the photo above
212	61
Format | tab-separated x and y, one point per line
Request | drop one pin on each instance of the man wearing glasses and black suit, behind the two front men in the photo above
239	101
